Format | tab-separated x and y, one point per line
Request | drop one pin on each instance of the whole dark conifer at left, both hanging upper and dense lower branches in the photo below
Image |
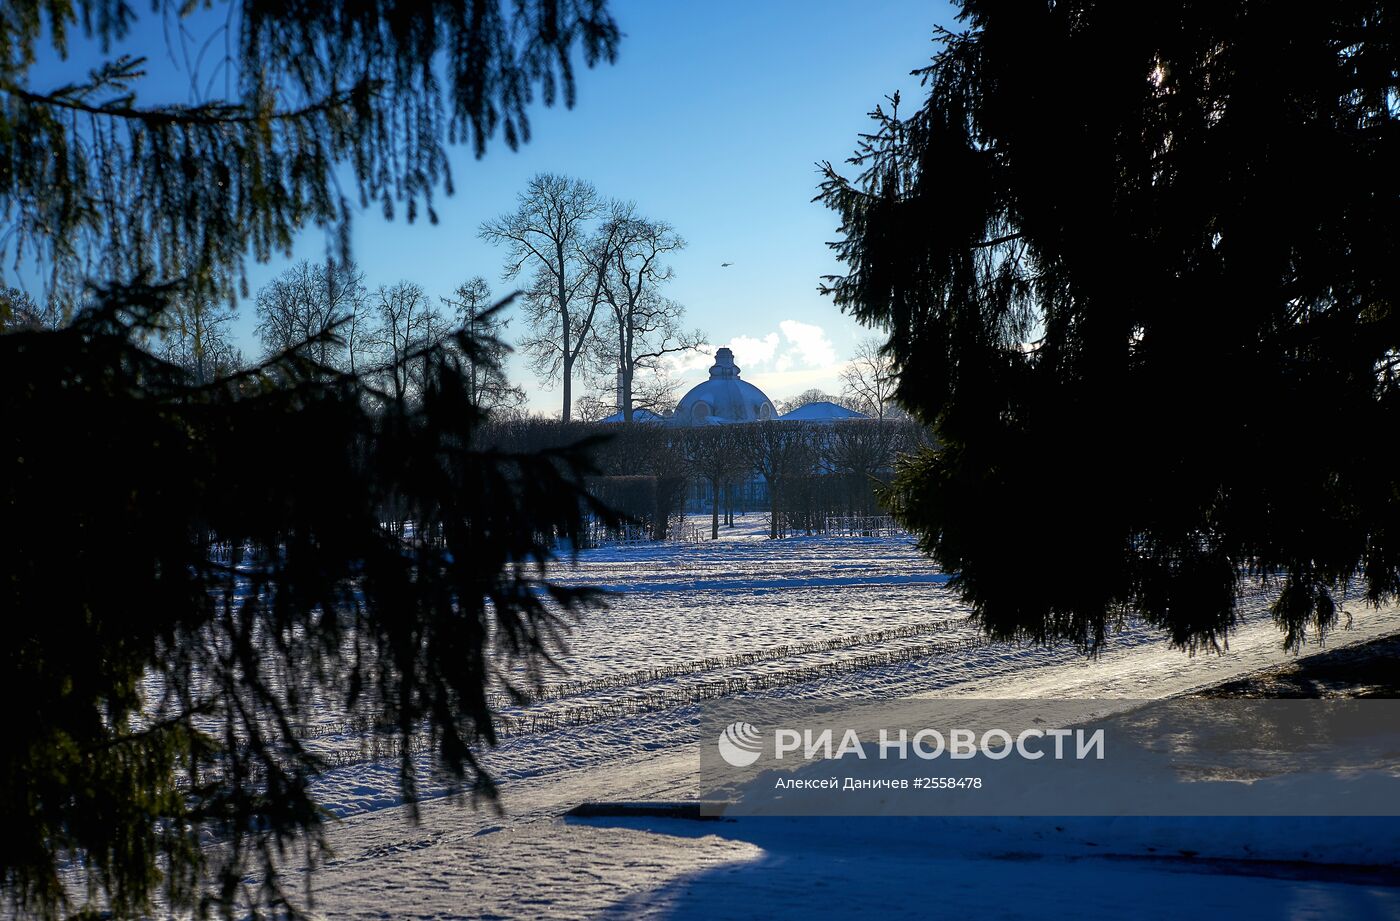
209	558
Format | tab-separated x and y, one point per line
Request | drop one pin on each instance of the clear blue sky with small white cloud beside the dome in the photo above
713	120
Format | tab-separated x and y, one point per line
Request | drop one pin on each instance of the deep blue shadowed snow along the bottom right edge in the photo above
829	874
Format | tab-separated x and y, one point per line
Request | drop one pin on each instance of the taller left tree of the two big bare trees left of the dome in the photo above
548	237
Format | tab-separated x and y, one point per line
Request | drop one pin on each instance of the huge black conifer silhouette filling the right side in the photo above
1100	288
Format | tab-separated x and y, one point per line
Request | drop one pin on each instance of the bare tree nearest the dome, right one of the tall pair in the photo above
642	327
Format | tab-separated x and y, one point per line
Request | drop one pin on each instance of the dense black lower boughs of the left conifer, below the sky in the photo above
188	598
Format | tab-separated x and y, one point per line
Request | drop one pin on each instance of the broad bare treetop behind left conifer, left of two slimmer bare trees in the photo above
306	302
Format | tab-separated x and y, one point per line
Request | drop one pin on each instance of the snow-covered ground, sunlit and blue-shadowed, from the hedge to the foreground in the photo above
803	618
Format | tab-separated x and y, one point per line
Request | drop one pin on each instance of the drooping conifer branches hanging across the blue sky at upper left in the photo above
97	183
